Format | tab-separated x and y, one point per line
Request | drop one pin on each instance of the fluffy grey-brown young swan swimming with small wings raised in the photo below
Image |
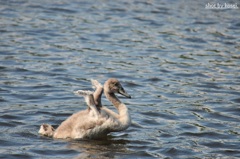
97	121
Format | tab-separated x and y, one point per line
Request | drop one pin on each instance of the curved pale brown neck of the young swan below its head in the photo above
123	117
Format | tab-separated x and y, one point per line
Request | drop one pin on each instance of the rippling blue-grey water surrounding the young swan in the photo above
179	61
